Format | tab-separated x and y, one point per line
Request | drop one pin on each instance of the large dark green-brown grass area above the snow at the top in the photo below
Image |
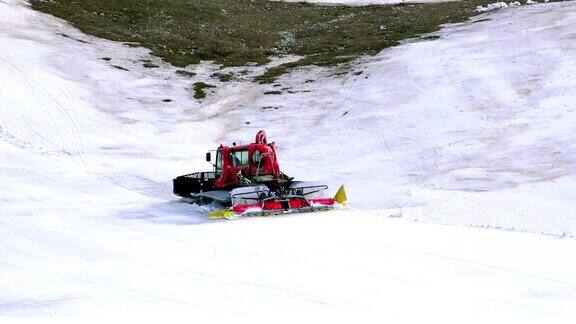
237	32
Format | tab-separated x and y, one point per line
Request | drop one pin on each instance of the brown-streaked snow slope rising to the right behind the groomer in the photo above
474	128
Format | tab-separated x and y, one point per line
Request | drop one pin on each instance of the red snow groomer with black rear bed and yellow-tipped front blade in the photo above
247	180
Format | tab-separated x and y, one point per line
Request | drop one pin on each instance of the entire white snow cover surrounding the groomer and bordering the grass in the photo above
473	128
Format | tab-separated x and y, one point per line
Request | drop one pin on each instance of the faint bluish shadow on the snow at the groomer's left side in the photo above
174	212
